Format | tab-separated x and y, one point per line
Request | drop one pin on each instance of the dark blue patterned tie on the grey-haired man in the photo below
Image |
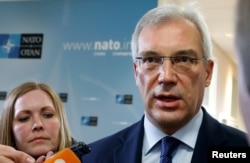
168	146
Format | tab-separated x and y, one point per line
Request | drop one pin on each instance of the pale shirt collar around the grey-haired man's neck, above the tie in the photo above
187	134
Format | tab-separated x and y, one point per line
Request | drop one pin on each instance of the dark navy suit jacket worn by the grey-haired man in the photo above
126	146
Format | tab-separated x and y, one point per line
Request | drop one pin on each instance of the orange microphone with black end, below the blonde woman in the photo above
70	155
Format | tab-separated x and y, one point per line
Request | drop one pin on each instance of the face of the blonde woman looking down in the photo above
36	124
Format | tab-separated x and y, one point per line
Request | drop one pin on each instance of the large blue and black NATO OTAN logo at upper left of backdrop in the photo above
21	46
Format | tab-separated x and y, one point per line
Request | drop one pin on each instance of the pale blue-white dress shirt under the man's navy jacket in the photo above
187	135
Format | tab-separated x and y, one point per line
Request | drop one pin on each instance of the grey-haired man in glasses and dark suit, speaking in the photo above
172	54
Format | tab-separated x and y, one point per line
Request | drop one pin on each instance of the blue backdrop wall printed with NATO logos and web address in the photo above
82	49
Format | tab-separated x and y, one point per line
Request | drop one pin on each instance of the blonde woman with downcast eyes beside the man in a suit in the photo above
33	121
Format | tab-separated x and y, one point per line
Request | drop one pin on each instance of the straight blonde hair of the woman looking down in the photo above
6	119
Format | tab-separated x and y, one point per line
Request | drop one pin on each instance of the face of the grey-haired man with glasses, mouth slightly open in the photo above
172	95
